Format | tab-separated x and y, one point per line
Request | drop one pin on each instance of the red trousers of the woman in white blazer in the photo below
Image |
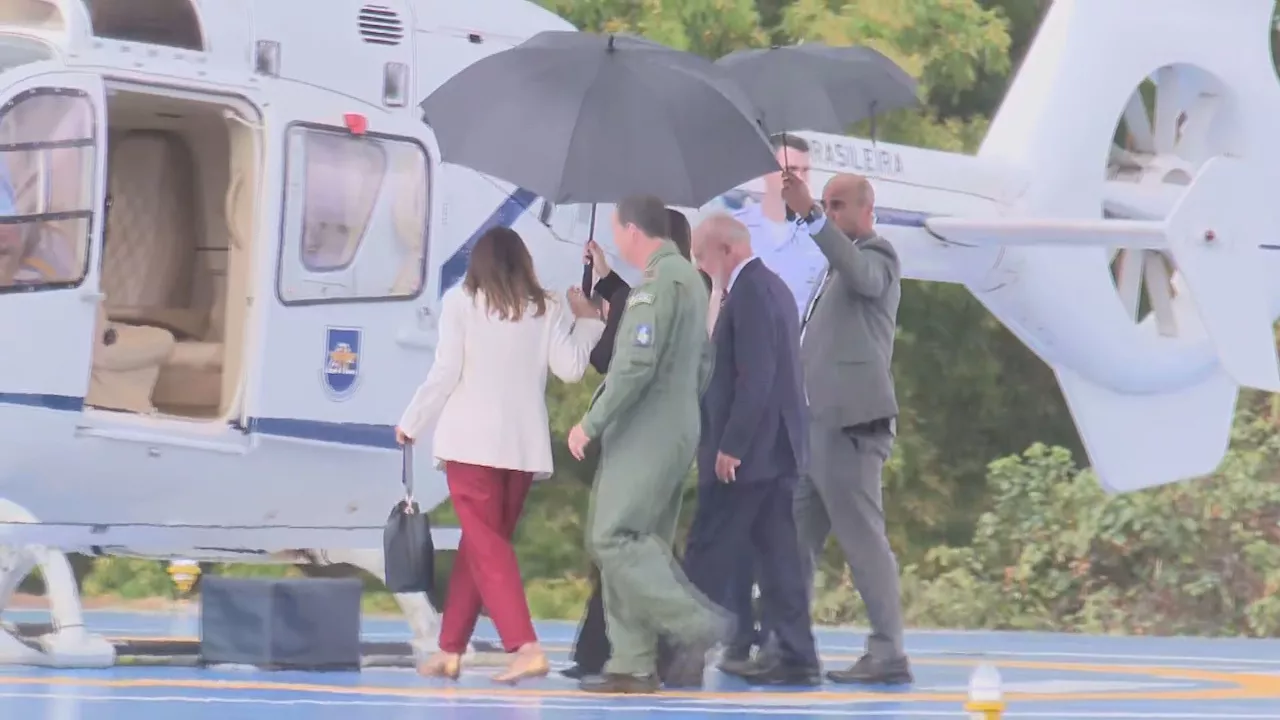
488	503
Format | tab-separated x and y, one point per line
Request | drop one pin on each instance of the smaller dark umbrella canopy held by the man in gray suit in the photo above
820	88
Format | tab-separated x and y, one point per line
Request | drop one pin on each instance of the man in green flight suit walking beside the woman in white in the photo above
647	420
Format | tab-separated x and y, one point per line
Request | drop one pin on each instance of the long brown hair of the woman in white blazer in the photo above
504	271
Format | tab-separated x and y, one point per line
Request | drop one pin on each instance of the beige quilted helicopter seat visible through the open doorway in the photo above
149	275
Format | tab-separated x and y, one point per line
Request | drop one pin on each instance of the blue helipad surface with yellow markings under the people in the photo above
1046	676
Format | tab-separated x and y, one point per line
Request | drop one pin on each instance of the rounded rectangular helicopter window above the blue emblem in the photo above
356	217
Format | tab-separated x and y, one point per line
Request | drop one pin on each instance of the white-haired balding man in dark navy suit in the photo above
753	449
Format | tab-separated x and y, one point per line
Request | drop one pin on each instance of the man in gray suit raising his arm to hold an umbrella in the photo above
847	347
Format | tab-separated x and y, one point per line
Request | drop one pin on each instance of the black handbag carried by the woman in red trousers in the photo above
408	548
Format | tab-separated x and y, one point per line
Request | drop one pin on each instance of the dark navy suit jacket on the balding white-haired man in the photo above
755	407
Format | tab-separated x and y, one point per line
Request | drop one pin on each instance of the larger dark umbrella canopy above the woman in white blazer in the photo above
584	119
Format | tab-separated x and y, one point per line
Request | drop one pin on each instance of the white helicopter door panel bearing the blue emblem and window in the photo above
346	335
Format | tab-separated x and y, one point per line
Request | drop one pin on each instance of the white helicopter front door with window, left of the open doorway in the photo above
53	145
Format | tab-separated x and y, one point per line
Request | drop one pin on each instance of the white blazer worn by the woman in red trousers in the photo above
487	391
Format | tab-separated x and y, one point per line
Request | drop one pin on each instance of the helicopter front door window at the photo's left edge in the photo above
47	189
